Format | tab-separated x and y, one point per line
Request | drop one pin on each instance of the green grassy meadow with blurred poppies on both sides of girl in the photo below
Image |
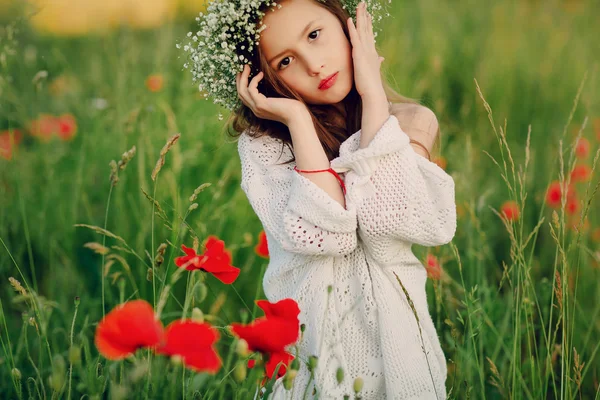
516	301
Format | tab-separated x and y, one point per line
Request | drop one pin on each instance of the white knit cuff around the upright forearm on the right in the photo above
389	138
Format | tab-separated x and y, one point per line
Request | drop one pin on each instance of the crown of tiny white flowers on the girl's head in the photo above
227	38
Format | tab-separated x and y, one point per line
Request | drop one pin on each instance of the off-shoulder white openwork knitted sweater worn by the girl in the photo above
394	198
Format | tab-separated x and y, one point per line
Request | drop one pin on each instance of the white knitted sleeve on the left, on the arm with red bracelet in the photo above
301	216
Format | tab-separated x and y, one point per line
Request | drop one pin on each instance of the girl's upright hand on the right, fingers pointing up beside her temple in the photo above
367	63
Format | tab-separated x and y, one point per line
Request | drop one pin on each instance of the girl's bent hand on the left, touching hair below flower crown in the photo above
273	108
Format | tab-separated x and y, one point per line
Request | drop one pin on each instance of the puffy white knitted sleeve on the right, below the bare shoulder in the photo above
397	192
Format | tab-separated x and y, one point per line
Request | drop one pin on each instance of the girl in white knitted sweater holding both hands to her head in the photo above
341	246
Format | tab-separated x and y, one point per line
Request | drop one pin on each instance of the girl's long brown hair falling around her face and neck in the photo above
332	129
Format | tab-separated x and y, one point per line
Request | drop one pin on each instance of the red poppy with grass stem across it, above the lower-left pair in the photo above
216	260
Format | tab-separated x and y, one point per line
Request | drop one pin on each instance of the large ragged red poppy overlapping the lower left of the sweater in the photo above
272	333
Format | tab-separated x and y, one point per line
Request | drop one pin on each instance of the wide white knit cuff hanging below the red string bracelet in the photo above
316	206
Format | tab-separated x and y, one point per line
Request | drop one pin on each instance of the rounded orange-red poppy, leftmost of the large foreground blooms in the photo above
128	327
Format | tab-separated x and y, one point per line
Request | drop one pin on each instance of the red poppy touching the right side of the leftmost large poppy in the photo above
193	341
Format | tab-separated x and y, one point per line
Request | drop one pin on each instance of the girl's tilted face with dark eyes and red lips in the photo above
305	44
